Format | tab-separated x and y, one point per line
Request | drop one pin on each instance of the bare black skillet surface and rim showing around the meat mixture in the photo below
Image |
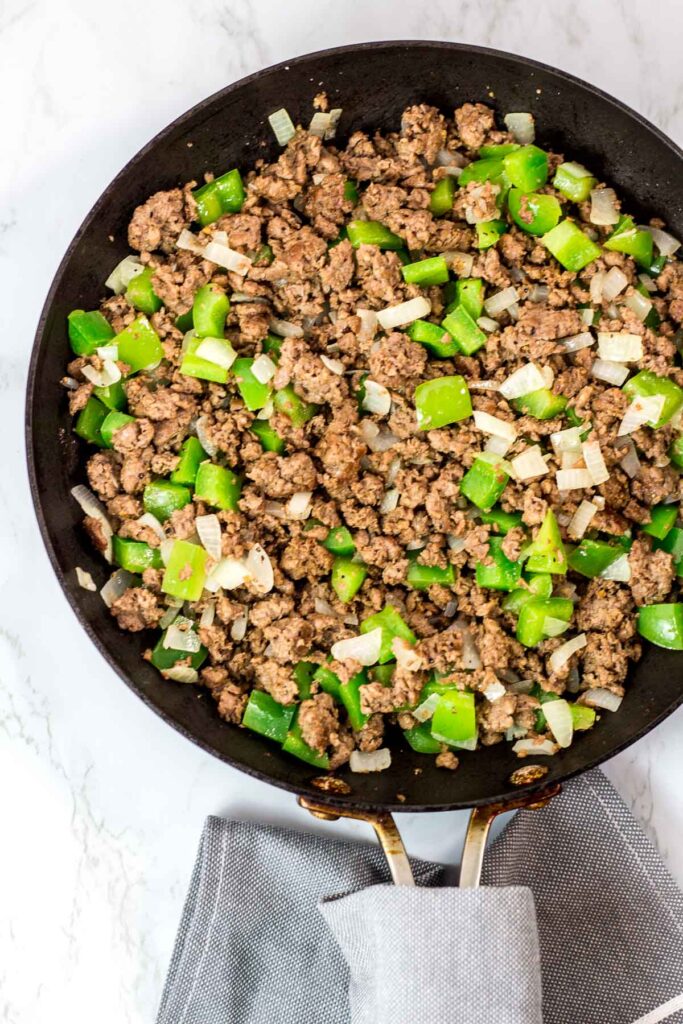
373	83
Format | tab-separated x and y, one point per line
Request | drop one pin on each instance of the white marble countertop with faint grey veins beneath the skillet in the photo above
102	805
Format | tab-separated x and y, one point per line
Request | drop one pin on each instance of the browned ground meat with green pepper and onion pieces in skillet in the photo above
391	435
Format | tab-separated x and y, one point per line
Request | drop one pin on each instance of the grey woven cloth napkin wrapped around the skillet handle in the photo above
288	928
